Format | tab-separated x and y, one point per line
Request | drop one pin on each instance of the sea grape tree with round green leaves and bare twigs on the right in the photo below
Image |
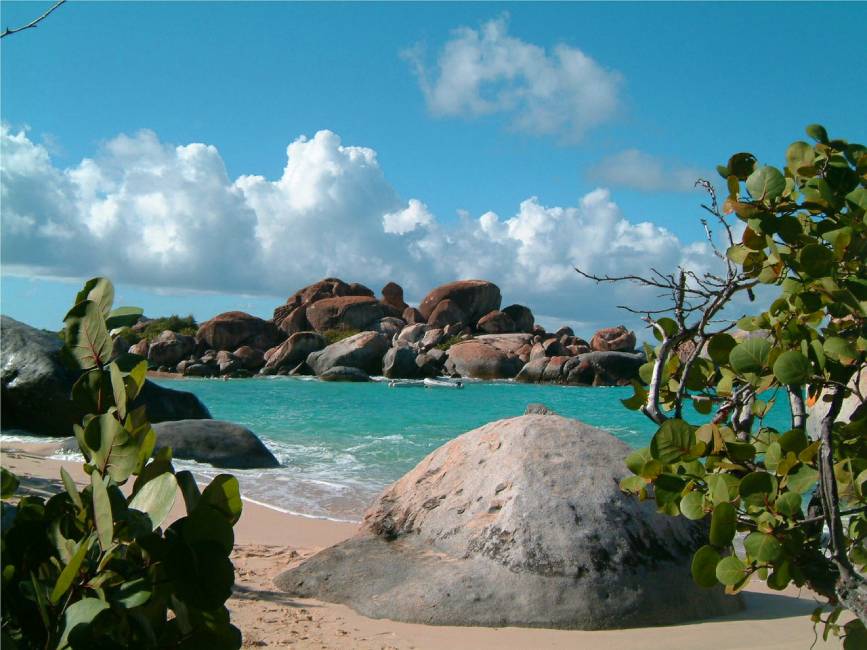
804	234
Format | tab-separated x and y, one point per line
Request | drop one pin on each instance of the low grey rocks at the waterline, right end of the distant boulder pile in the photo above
589	369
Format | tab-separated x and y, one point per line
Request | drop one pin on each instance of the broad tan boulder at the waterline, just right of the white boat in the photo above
487	357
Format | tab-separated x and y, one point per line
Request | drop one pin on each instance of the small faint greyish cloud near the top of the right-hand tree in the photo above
638	170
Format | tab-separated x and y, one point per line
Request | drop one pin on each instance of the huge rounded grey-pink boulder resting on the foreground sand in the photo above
520	522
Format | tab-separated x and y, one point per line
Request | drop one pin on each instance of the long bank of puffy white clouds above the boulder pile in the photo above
158	215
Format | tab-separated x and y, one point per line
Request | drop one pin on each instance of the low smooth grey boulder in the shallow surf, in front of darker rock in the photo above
219	443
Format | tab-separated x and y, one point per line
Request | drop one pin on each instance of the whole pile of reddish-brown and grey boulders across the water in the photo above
341	331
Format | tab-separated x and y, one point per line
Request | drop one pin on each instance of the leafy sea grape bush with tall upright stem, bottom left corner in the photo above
94	568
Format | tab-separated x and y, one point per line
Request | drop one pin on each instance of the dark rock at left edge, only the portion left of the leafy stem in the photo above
35	383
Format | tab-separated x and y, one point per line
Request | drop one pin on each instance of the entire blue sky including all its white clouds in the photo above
215	156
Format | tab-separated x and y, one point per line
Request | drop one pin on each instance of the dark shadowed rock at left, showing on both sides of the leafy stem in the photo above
36	386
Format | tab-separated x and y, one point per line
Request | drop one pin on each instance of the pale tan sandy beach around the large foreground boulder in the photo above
268	541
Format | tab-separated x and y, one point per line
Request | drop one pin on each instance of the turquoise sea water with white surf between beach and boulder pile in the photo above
341	443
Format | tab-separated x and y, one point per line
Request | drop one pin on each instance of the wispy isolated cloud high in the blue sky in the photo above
485	71
